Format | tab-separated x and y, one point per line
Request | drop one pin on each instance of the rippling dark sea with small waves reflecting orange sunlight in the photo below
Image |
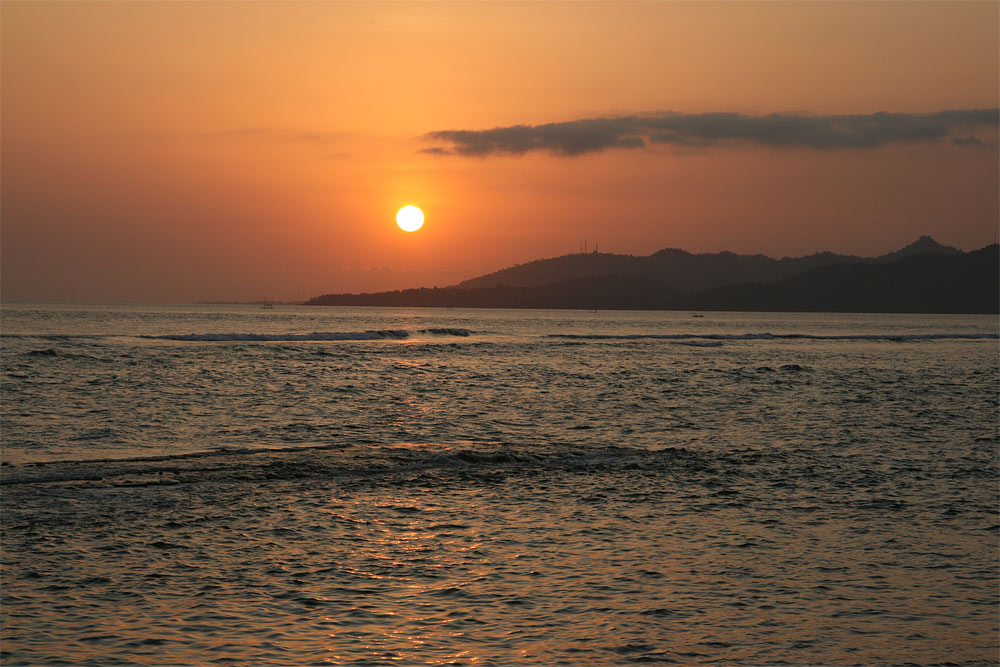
197	485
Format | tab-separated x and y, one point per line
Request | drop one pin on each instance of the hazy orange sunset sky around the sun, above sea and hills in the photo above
198	151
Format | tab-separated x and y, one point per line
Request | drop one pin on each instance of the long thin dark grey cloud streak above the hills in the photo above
832	132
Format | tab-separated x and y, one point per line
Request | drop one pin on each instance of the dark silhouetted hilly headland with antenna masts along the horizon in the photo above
923	277
